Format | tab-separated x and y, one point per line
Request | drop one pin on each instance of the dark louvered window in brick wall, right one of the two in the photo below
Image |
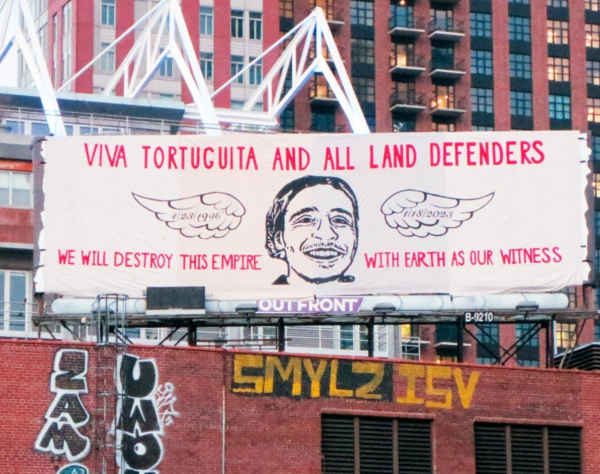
527	449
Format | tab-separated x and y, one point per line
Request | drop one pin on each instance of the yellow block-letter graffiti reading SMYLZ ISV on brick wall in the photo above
316	378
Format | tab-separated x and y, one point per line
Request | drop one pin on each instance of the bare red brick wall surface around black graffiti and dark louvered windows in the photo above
273	434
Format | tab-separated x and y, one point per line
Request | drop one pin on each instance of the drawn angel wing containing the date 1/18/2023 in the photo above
418	214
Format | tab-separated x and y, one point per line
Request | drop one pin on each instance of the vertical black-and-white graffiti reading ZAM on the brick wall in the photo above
66	416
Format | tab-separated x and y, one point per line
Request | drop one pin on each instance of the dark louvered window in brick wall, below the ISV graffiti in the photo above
379	443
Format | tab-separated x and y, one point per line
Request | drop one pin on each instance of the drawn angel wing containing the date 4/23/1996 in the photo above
205	216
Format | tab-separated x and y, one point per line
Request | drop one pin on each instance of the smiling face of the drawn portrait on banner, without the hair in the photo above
320	234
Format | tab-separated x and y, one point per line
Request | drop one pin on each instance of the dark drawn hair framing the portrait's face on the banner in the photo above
275	221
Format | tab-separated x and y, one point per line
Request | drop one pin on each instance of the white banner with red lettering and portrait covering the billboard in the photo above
303	216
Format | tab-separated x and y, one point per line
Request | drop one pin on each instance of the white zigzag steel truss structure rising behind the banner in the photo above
311	48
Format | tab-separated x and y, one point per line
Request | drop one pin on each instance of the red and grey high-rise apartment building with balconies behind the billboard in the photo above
416	65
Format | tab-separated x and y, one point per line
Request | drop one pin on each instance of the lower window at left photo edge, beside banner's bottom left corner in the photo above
13	300
